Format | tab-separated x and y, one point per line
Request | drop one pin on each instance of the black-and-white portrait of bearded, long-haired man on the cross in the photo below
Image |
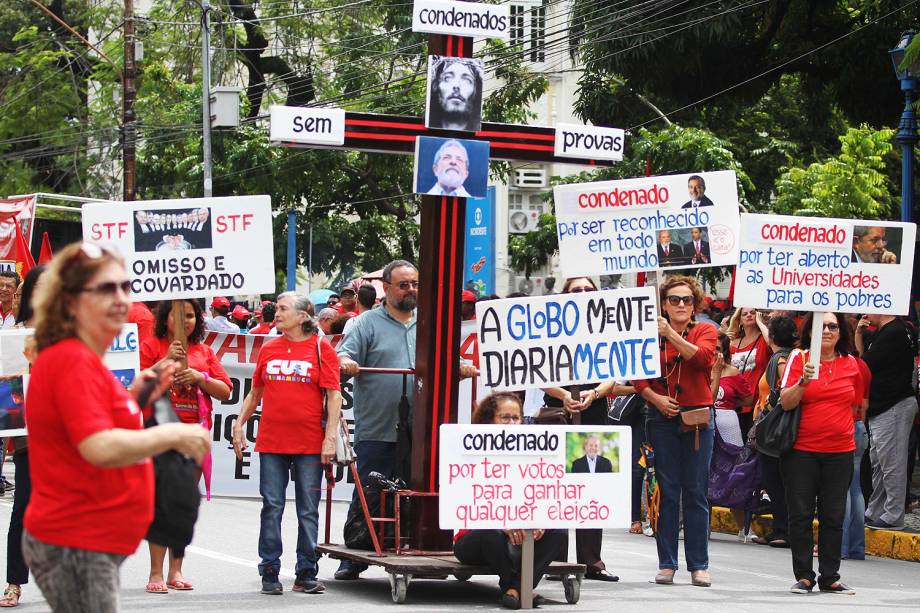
455	94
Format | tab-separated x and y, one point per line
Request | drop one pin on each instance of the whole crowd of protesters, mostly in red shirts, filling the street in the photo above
723	370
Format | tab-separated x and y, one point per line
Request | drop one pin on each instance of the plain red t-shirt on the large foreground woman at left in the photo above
72	395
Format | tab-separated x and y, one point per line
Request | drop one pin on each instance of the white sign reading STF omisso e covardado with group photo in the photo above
189	248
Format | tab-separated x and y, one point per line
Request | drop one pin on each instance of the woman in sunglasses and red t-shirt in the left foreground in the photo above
92	479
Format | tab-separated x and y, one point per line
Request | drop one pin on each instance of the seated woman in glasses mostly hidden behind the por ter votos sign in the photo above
500	550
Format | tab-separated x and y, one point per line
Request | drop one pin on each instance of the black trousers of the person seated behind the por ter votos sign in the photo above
491	548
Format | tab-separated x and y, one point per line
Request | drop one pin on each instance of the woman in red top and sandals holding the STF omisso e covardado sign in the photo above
191	392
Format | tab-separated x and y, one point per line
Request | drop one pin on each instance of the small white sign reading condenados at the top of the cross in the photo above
461	18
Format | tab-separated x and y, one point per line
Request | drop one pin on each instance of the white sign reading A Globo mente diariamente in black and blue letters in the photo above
551	341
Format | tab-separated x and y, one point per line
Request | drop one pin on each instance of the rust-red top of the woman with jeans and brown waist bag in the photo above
693	375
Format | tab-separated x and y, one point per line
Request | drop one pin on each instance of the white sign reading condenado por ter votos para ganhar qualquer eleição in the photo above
533	477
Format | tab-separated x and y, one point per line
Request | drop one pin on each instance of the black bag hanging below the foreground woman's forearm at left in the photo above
176	477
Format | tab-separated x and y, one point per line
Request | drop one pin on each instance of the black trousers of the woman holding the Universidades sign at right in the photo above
816	478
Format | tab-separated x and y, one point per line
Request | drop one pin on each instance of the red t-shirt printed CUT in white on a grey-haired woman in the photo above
292	398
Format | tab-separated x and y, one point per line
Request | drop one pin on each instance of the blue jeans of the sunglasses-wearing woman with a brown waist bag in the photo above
683	478
